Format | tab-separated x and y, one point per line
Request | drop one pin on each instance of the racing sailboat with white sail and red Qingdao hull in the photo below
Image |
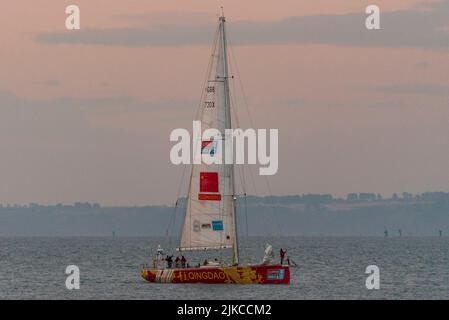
210	214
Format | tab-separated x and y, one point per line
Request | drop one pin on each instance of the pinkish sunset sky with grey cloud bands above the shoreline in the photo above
85	115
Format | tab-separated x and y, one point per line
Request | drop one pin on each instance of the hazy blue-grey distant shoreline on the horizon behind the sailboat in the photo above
308	215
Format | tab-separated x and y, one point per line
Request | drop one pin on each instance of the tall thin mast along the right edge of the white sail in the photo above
228	124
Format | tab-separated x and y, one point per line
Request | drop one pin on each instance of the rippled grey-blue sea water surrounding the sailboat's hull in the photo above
329	268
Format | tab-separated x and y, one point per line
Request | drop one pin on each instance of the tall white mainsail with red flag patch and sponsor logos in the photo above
209	221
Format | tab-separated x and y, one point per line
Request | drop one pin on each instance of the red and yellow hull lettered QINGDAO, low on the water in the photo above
259	274
